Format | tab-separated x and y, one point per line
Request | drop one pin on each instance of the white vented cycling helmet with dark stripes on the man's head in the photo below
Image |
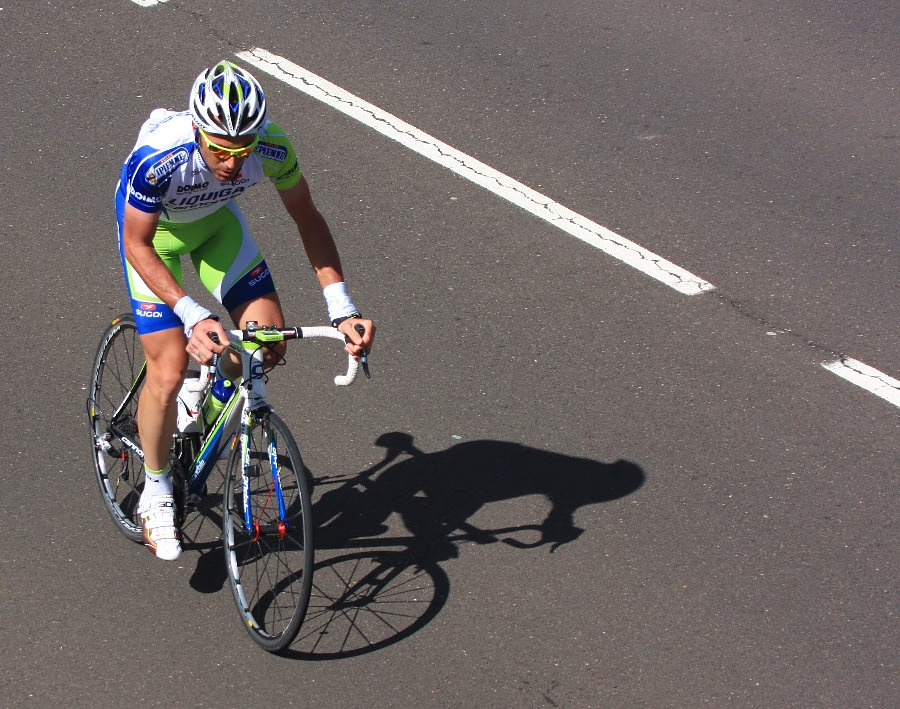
227	100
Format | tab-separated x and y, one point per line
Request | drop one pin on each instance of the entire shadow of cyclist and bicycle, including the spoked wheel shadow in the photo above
368	599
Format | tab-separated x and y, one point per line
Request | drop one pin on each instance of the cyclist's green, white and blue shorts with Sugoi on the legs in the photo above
226	259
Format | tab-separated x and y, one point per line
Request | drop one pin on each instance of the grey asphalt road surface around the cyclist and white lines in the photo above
605	492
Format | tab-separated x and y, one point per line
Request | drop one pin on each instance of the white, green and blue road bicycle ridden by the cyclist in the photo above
267	523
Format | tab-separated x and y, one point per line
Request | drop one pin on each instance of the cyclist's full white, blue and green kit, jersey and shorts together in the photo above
165	173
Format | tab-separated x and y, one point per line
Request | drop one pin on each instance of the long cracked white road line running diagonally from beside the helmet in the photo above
501	185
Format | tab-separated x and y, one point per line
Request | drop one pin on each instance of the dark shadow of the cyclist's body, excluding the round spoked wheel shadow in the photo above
435	494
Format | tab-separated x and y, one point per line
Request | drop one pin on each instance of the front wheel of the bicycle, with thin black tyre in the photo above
269	571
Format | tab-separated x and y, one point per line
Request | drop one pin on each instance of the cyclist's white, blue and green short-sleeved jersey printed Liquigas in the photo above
165	172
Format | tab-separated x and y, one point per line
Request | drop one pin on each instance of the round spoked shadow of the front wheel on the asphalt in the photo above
366	601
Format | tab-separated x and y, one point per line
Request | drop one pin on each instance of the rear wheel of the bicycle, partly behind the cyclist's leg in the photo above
118	469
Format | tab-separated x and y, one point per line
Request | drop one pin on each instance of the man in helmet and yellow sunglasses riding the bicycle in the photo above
176	196
